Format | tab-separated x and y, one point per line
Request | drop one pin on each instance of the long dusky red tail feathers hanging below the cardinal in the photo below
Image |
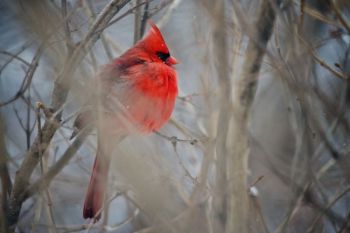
97	187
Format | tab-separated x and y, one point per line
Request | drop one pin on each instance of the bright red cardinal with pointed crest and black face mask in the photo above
136	93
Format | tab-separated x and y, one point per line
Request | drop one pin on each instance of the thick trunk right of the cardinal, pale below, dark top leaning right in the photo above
244	93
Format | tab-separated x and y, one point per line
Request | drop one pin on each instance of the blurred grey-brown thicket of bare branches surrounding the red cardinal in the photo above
259	140
